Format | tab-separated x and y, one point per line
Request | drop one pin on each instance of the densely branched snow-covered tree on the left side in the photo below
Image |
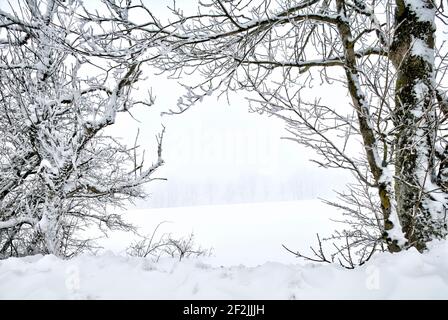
62	83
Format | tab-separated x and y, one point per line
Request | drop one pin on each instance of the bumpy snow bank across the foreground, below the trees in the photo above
409	275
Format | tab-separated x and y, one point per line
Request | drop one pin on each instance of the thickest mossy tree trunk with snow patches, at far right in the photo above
420	210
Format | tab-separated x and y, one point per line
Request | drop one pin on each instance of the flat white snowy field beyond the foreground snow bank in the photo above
248	234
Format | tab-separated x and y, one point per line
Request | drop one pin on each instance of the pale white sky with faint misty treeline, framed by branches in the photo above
220	153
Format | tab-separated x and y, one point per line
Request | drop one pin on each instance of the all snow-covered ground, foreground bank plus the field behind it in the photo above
248	262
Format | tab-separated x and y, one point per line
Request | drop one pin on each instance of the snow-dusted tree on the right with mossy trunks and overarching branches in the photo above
388	56
